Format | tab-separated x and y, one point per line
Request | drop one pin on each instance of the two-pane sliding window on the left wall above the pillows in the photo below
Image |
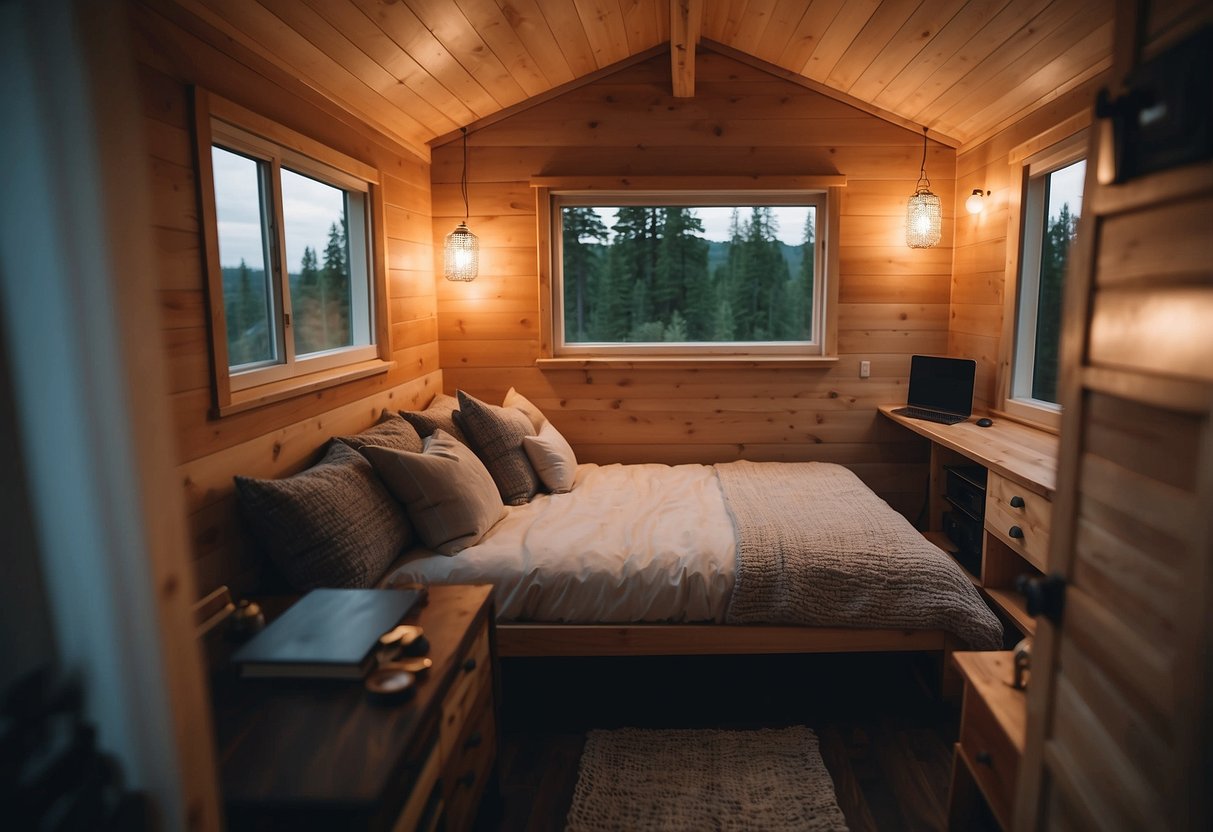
291	260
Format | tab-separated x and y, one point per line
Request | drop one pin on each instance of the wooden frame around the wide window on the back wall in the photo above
823	192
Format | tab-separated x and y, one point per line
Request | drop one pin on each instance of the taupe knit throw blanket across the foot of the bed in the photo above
817	548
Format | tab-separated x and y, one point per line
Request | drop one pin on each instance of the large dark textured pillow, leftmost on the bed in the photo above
332	526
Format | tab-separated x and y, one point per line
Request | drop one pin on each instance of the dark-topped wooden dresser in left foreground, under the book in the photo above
322	755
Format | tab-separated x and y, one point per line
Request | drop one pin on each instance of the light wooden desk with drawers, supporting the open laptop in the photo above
1022	477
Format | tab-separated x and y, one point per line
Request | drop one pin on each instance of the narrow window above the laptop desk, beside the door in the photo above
1051	207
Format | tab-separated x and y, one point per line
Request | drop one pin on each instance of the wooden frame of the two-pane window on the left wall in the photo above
242	132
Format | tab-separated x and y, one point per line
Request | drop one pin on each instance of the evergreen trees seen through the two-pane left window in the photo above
321	305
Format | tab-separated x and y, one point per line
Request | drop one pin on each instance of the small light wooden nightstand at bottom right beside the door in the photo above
986	765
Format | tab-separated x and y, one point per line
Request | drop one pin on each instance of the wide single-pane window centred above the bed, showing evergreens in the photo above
679	273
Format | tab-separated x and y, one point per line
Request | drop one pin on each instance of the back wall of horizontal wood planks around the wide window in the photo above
893	300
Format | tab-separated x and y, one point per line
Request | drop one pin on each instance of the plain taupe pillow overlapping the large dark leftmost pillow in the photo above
451	497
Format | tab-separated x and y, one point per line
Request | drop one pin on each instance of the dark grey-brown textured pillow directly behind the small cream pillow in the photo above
497	436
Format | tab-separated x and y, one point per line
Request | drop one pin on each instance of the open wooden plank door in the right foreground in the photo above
1120	703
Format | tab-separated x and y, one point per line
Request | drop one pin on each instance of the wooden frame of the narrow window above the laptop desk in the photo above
1023	281
